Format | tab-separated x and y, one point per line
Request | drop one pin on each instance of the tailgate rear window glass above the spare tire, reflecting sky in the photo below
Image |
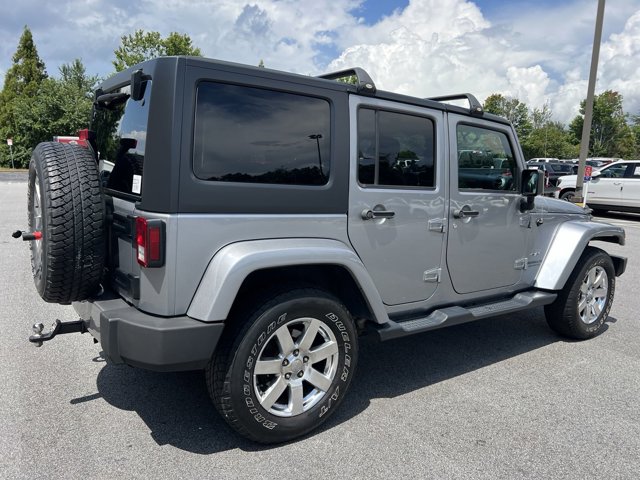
121	133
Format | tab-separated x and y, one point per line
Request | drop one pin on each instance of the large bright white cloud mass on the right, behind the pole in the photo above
433	48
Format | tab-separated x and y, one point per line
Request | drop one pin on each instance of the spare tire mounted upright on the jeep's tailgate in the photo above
65	204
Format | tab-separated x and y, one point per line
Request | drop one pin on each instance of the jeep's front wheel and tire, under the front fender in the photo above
583	304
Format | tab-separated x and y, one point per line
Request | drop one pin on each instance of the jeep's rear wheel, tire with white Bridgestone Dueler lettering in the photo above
231	374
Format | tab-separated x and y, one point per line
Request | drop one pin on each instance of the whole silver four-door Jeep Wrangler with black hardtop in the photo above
253	223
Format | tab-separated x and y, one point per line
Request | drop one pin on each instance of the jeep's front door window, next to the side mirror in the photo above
485	159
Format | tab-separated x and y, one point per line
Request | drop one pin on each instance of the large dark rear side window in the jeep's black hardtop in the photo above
254	135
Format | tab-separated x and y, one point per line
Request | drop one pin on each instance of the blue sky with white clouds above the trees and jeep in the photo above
537	51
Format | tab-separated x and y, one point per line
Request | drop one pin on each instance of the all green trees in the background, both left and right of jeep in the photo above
34	107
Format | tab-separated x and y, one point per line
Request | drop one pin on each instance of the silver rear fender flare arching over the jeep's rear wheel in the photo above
231	265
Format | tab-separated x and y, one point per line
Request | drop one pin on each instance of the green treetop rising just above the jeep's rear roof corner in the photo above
143	46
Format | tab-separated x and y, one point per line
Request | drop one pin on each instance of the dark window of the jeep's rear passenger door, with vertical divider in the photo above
395	149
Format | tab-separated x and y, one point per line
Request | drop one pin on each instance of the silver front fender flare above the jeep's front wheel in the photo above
567	246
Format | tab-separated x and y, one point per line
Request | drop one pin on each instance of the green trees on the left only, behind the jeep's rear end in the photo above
35	107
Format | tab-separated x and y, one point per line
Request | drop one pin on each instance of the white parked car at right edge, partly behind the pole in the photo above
613	187
